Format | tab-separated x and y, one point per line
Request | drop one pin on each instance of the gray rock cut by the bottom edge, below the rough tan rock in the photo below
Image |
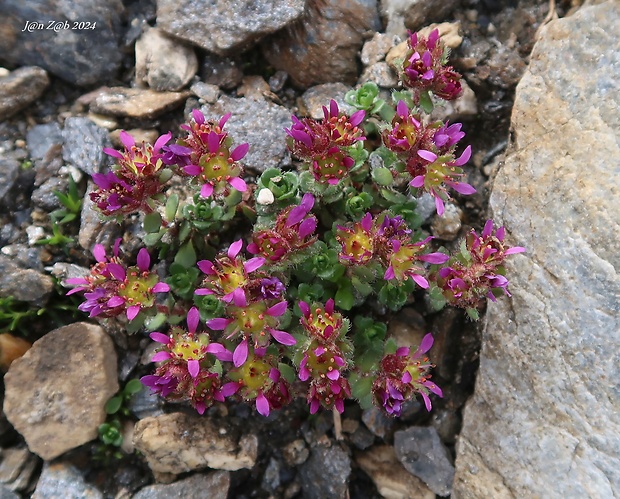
213	485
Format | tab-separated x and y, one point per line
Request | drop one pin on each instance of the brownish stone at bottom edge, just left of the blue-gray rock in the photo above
389	476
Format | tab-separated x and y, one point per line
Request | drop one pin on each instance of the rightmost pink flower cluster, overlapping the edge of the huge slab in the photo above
477	271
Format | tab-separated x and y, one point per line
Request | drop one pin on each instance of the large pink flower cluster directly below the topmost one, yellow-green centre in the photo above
428	152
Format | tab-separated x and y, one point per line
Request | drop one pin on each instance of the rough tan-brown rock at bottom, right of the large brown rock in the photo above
177	443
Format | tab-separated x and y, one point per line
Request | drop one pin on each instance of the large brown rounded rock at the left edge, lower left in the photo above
56	392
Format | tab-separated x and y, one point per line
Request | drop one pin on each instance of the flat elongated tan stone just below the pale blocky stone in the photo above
136	102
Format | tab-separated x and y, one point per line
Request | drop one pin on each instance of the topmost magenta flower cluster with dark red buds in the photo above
424	67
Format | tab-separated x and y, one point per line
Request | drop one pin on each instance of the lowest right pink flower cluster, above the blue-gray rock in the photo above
401	375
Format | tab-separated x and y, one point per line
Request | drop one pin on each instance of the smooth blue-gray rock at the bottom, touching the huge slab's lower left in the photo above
421	452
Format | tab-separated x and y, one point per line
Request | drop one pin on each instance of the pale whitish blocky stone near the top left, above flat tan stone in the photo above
162	62
